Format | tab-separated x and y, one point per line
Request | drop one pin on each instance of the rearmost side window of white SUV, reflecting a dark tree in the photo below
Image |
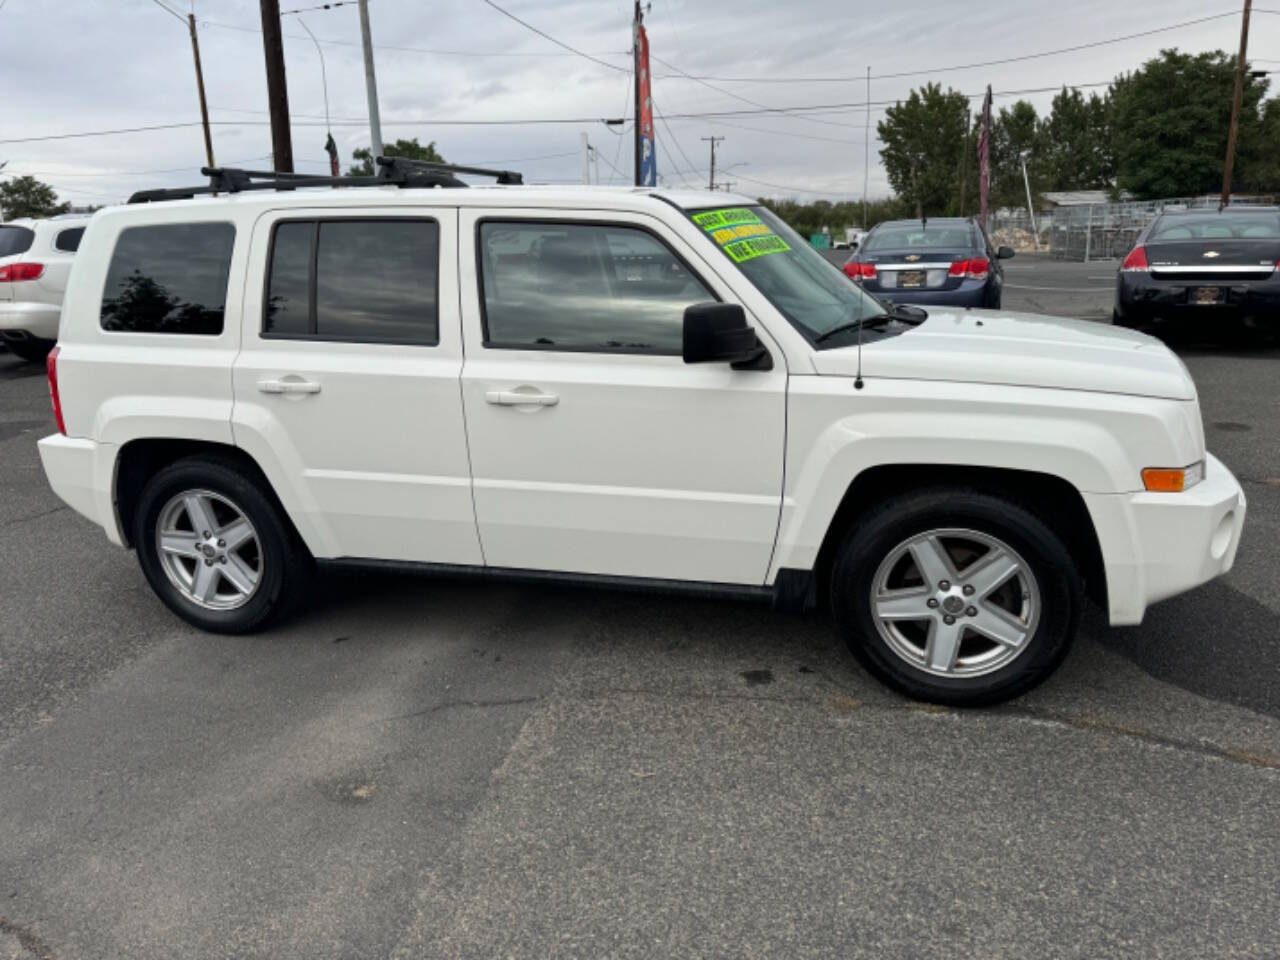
170	278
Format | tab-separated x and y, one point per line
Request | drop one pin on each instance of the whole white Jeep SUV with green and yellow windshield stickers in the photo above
623	388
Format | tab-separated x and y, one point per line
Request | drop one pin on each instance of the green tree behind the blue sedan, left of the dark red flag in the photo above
924	141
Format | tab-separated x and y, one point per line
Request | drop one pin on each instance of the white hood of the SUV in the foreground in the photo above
1020	350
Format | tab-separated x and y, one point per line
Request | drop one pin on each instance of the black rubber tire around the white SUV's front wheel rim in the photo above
895	522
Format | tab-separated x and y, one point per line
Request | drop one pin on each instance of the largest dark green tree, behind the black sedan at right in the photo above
1171	121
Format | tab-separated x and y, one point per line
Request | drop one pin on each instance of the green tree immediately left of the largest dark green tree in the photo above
1075	144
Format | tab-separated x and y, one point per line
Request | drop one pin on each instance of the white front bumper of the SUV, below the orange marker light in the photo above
1158	546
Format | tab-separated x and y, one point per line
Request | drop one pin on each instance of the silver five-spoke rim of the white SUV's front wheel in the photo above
956	602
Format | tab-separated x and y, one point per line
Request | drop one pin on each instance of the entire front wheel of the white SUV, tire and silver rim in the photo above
957	597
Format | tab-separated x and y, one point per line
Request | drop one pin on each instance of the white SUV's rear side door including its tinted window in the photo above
348	381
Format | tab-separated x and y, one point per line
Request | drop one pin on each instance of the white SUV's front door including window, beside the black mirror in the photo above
595	447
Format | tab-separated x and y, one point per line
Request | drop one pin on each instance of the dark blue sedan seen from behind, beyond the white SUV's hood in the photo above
938	262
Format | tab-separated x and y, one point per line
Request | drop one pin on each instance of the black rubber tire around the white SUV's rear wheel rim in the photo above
286	565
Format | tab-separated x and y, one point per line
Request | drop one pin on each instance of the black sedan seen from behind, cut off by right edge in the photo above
1204	269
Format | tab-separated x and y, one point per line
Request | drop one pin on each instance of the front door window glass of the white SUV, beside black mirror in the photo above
584	287
